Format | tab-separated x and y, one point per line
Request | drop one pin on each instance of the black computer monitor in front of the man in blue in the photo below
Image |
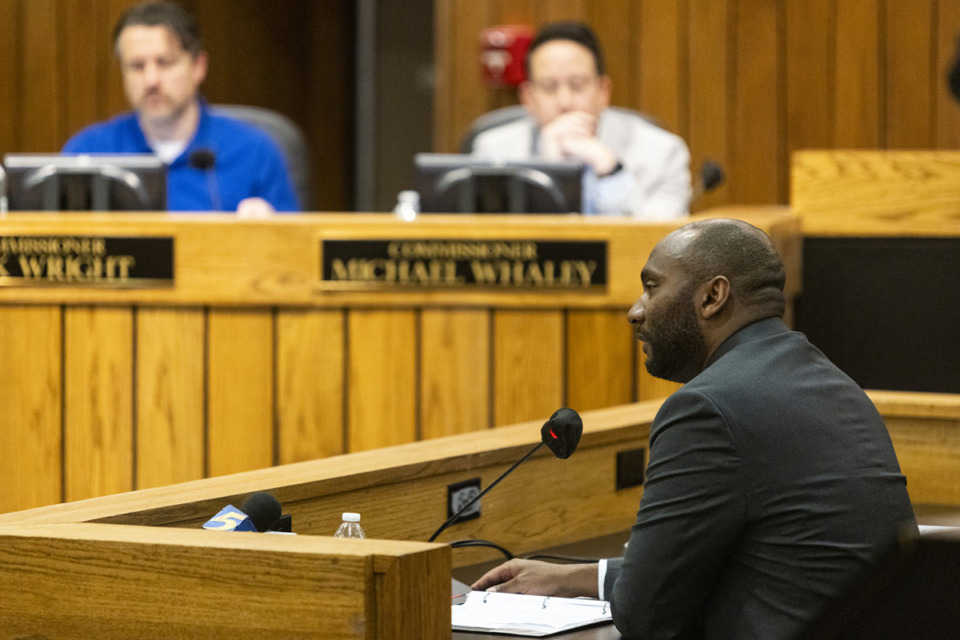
85	182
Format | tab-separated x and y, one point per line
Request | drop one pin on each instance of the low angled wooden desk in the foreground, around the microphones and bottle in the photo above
143	547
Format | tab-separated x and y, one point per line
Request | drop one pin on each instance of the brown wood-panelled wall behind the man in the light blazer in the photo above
747	82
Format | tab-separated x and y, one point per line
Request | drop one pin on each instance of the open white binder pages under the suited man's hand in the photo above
525	615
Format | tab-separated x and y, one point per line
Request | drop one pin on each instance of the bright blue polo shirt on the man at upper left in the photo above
247	163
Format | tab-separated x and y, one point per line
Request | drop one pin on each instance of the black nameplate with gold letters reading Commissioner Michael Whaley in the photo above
516	264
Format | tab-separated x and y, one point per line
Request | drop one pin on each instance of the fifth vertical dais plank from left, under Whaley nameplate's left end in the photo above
310	384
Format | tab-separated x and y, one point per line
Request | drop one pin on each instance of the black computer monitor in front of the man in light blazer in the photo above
453	183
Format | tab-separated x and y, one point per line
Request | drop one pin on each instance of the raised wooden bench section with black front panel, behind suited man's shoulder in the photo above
882	264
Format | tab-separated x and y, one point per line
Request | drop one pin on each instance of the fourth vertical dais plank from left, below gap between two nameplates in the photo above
240	399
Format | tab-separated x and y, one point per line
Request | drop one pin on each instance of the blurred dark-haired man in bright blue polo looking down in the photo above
214	163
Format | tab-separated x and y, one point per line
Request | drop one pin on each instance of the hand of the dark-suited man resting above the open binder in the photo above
541	578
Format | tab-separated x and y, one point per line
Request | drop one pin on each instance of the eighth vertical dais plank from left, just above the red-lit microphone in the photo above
528	382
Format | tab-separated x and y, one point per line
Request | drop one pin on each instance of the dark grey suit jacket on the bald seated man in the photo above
772	483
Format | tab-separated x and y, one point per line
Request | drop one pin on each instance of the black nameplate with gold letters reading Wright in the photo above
86	261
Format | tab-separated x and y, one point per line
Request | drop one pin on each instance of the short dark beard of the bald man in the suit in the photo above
676	344
